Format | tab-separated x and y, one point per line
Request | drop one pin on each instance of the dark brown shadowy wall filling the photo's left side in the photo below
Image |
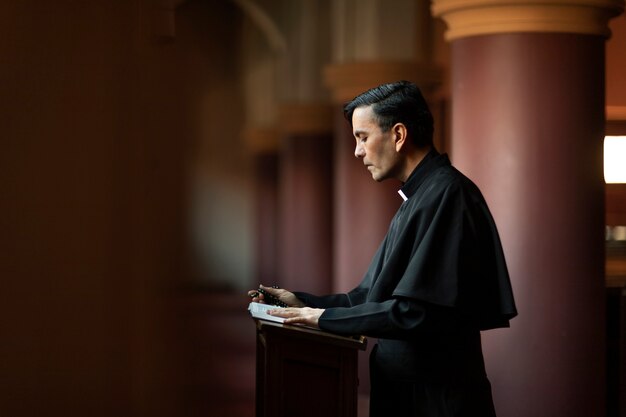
97	144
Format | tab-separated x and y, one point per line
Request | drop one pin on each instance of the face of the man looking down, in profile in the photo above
376	148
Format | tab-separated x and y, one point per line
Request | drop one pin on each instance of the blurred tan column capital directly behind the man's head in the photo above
348	80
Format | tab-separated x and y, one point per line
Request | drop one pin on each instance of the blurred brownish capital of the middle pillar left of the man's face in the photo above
305	118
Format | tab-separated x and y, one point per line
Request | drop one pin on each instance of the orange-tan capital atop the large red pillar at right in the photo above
485	17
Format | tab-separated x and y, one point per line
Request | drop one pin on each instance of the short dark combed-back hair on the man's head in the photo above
398	102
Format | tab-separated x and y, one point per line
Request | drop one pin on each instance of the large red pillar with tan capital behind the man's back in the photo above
527	127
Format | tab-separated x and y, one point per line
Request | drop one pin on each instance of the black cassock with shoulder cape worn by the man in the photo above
438	278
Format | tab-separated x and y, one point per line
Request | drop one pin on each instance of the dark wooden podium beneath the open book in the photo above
303	372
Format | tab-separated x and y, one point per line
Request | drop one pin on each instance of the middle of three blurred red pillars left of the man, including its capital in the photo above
305	181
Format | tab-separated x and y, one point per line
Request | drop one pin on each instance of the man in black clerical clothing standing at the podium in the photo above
438	278
